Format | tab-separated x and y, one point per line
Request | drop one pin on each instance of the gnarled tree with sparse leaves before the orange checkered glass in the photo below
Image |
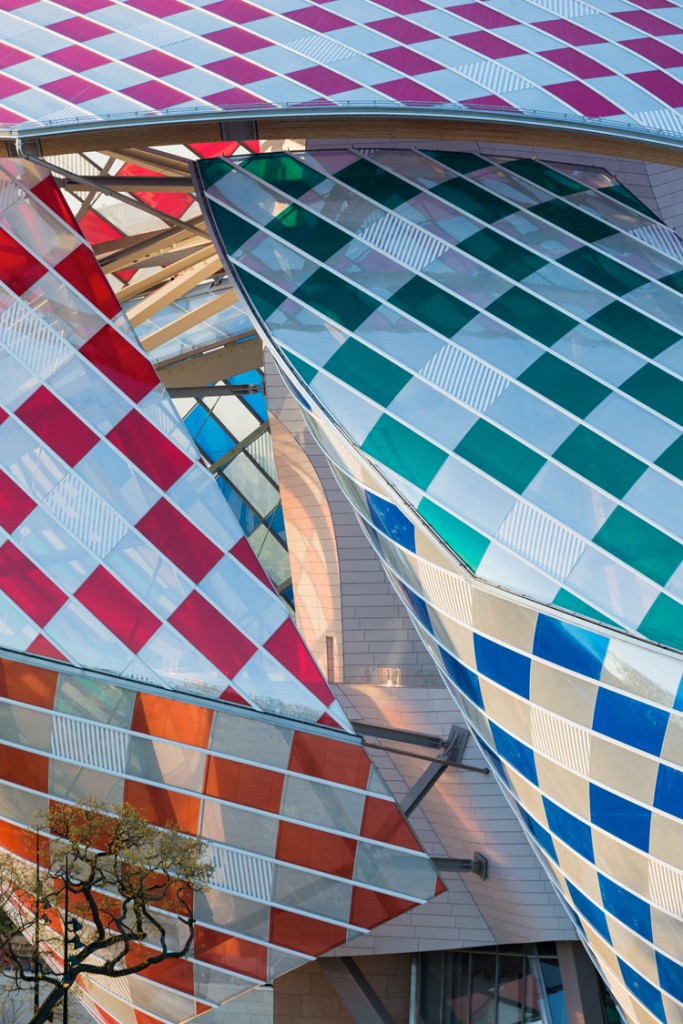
110	895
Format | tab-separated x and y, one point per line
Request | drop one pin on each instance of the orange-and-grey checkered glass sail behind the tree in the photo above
310	849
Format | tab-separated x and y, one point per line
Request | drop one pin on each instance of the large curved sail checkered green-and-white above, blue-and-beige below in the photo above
461	336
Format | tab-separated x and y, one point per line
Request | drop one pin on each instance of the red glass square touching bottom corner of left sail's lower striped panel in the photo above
120	611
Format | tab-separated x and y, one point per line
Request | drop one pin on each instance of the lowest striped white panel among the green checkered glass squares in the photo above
541	540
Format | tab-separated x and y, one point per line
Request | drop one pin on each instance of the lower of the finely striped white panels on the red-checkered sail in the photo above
87	516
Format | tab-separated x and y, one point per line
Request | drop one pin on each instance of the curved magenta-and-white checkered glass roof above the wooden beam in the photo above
615	62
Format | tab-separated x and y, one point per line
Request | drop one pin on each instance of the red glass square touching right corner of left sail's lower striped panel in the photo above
181	541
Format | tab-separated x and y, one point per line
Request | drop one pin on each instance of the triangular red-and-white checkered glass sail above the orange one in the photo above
117	548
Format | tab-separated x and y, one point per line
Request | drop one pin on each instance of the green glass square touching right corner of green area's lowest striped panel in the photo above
644	547
